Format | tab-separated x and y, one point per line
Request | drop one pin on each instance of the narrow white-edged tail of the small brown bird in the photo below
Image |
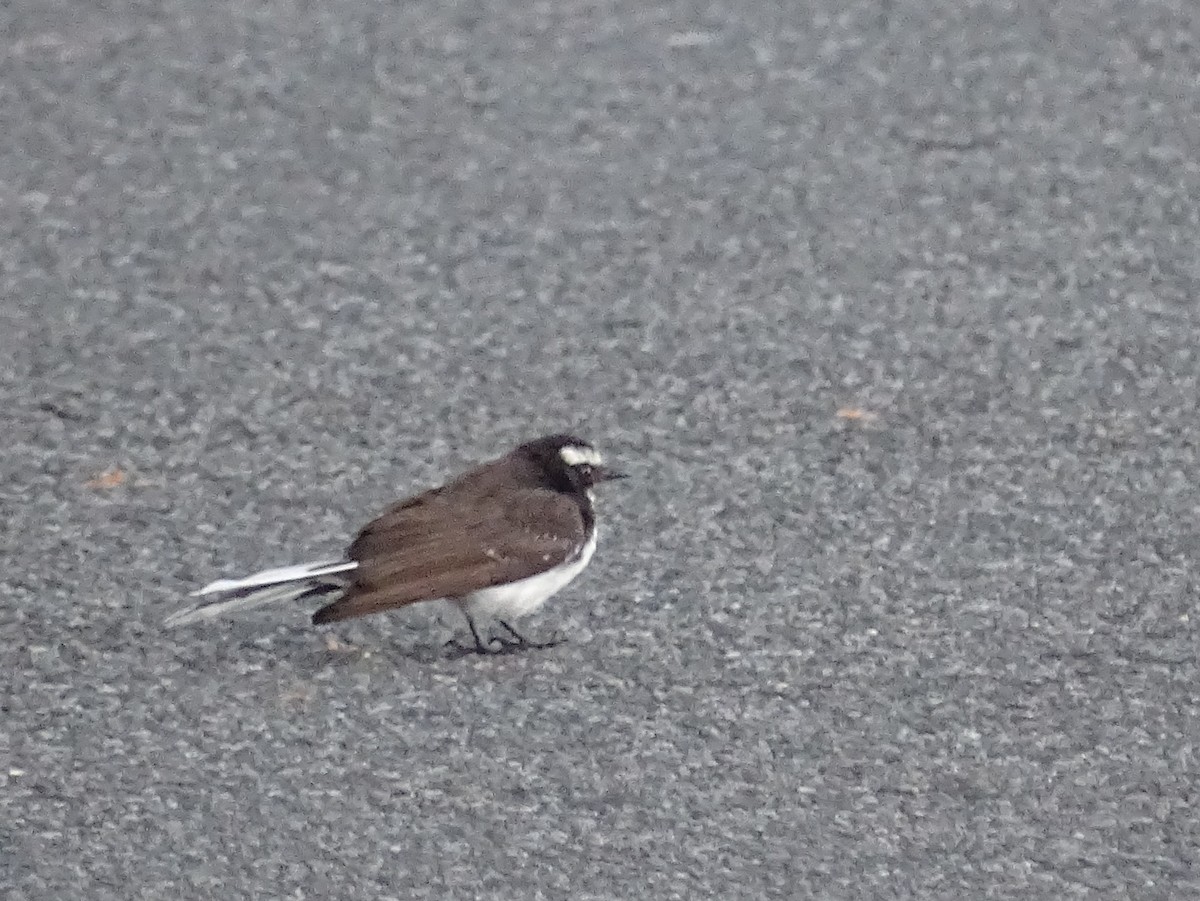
274	586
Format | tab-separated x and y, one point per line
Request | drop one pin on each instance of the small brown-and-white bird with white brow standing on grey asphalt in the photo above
497	543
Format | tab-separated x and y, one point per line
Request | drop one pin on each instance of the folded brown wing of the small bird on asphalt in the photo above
429	548
